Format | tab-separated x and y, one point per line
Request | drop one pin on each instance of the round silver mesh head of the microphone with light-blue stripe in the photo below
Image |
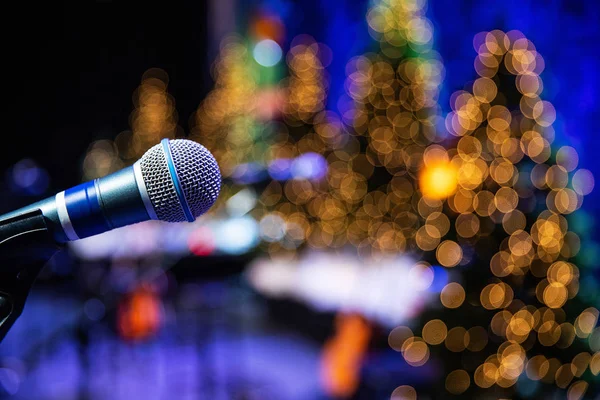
196	173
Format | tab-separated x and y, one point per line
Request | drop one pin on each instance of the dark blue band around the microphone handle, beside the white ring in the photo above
85	210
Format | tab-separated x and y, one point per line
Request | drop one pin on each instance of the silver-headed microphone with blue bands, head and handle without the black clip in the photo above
176	180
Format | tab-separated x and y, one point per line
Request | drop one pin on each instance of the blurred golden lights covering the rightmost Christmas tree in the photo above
479	182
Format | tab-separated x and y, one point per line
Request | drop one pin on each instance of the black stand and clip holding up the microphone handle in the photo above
26	245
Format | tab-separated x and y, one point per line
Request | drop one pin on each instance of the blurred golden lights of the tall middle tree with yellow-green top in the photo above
393	118
